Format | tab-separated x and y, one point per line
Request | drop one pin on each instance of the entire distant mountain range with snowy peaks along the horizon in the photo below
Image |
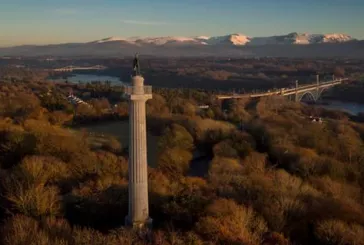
232	45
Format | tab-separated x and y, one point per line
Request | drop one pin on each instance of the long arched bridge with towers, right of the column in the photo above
313	91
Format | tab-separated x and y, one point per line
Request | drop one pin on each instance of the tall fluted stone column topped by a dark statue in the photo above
138	94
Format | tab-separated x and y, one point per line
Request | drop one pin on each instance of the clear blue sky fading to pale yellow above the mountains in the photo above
55	21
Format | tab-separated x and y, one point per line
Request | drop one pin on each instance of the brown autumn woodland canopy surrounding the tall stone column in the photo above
264	174
